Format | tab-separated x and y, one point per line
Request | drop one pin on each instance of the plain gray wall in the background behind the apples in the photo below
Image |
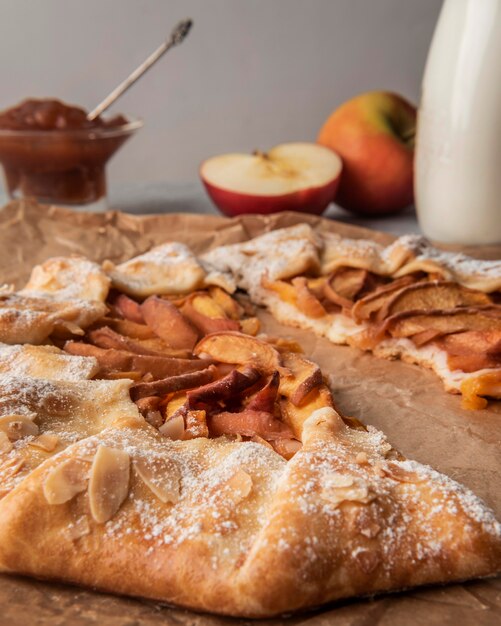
251	74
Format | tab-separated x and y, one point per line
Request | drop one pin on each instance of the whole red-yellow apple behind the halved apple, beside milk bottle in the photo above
374	135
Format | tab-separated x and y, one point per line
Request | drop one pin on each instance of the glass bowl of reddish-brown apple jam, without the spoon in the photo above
50	151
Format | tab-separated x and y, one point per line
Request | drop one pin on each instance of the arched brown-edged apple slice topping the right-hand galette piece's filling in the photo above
431	296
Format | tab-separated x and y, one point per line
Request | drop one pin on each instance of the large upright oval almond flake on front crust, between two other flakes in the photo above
109	482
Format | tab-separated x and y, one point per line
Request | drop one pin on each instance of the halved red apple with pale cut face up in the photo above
290	177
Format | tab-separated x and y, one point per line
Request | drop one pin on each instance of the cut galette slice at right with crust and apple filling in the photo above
405	301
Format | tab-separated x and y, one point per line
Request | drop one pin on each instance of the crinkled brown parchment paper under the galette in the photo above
404	401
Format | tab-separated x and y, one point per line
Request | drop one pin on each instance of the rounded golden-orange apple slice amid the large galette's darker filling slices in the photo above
233	347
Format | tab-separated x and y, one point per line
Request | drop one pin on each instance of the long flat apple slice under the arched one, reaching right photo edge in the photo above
409	323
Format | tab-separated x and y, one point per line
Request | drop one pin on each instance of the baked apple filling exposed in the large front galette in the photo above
197	373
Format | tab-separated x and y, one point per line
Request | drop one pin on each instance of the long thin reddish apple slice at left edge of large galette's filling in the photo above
121	360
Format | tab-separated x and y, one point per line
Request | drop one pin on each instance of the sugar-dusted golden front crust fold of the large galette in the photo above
338	520
